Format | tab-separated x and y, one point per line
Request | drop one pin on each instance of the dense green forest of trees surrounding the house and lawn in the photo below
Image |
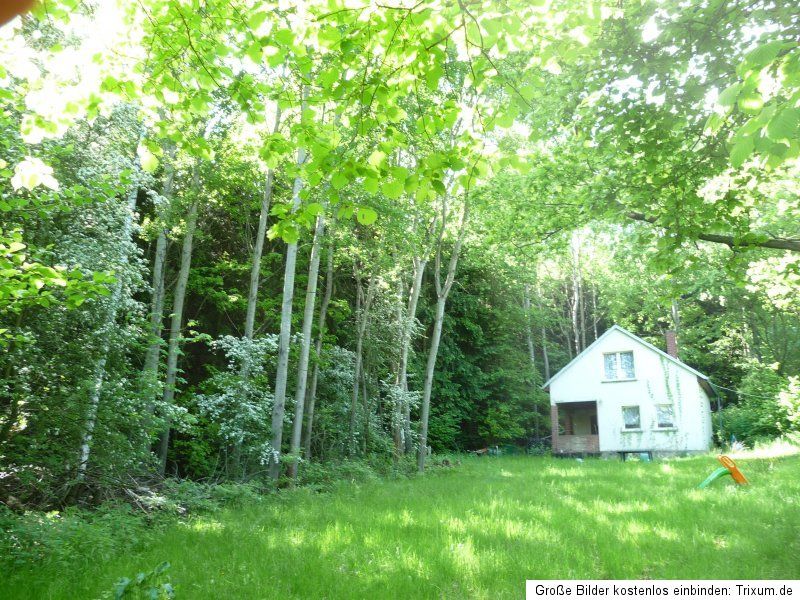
241	240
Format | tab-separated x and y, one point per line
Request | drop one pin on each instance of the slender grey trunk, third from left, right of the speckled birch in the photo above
176	321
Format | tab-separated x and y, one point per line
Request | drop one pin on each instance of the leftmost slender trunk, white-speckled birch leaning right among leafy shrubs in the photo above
105	333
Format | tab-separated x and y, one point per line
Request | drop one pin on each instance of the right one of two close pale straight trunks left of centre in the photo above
305	349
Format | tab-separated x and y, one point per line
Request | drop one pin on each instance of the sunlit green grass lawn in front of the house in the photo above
475	531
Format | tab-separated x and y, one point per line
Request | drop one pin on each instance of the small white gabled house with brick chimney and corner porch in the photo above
623	394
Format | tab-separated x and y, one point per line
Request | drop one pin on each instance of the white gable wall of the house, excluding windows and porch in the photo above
658	381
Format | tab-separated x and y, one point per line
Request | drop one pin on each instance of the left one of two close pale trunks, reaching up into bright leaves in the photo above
281	377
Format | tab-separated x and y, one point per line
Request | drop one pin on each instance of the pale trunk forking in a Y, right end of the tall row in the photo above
442	291
